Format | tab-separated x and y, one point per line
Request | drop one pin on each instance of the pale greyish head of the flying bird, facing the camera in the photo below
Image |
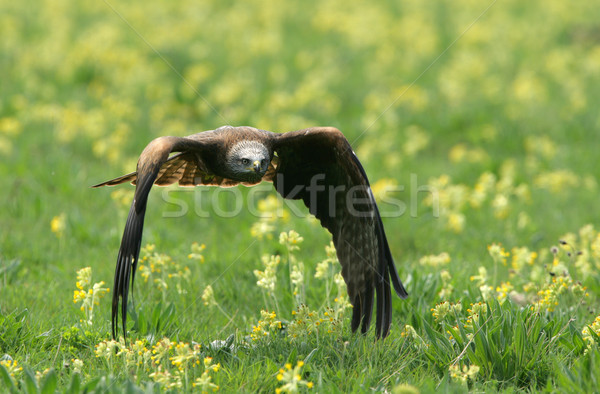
248	160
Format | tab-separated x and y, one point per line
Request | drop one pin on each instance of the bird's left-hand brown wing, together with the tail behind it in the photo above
156	167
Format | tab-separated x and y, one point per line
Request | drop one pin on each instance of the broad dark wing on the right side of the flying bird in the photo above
318	166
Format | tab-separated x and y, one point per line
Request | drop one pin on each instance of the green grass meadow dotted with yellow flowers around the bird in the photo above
477	123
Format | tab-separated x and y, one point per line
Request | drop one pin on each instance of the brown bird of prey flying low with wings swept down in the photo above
316	165
